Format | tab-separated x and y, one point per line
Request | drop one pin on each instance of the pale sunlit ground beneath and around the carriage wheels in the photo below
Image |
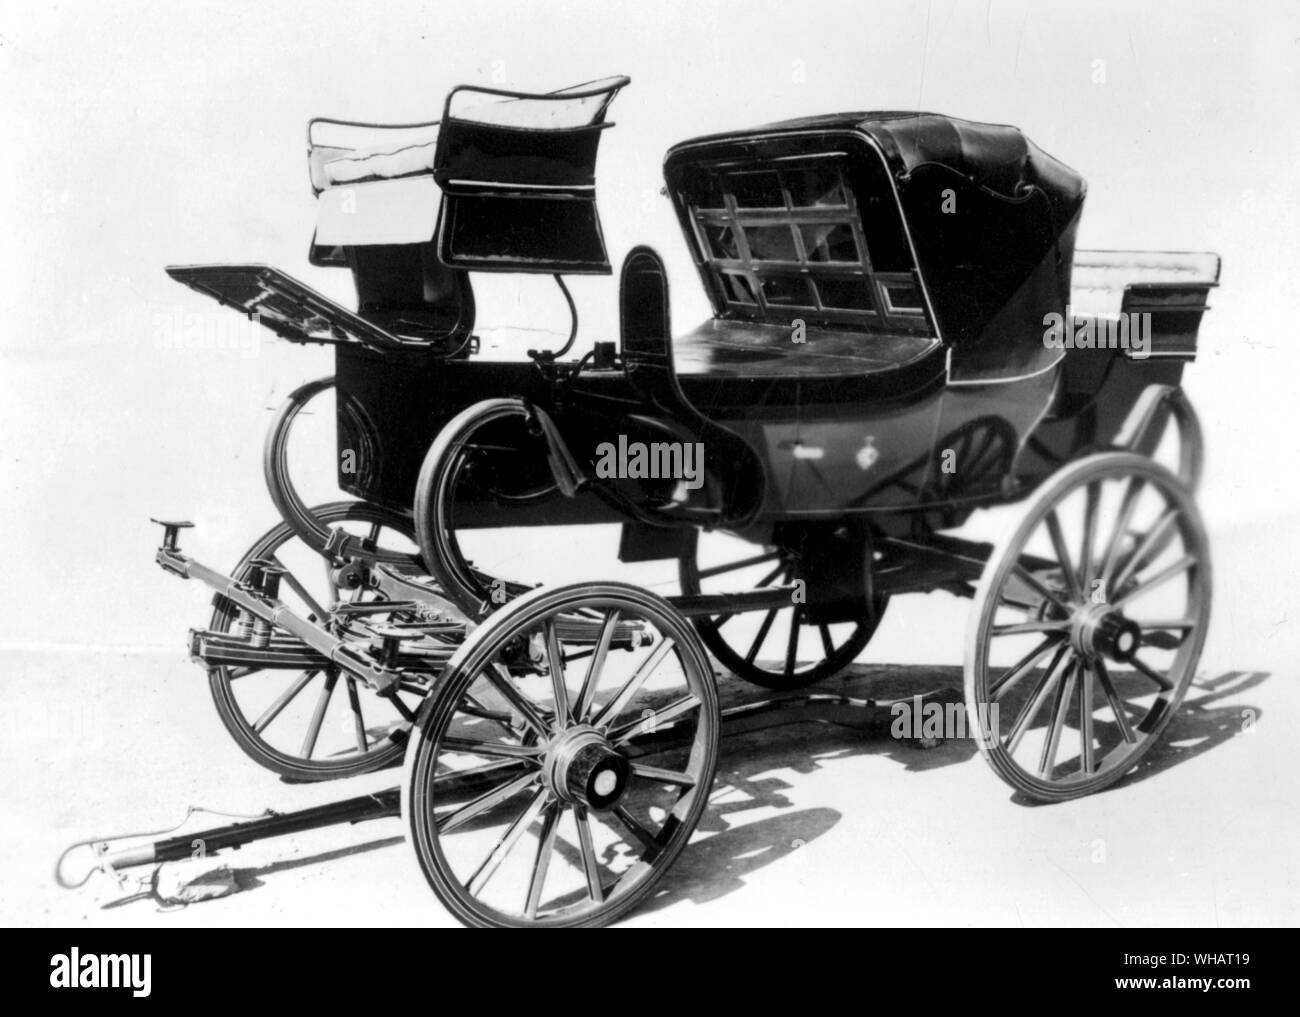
808	825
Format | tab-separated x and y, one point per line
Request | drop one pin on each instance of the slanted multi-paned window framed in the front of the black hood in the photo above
791	241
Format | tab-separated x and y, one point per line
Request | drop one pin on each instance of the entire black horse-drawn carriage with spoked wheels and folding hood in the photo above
903	334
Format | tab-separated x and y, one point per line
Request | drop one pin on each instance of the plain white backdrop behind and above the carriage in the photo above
145	135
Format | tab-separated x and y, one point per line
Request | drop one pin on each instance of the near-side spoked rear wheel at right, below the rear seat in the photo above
1087	627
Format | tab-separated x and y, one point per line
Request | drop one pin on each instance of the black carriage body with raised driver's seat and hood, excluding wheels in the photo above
882	288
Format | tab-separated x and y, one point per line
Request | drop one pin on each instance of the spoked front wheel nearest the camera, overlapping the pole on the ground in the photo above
565	759
